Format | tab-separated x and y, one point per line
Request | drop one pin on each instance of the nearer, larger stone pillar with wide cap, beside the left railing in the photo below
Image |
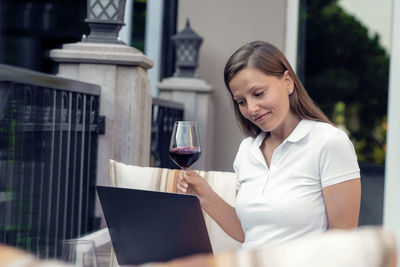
125	98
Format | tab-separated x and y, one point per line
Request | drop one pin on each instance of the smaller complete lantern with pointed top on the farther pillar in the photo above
187	44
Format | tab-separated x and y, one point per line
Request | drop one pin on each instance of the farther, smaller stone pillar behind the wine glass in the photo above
196	96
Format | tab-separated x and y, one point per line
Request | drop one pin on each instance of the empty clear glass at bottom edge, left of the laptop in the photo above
79	253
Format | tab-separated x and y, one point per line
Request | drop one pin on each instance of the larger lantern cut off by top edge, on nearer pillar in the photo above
105	18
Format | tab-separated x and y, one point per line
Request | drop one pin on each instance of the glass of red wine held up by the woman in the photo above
184	148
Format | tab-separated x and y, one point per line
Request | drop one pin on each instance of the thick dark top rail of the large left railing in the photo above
20	75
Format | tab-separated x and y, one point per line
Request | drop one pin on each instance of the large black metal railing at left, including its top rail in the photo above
48	157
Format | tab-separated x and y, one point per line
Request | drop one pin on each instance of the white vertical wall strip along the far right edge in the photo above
391	214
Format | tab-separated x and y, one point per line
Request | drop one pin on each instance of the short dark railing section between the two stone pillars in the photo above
164	114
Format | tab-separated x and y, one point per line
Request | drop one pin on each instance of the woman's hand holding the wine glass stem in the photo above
190	182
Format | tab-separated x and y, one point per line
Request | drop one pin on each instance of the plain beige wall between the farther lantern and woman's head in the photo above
225	25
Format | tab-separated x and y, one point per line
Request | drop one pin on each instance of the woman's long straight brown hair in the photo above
270	60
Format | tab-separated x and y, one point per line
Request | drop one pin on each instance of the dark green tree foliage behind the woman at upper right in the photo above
343	64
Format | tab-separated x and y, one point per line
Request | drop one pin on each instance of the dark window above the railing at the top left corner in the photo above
30	28
